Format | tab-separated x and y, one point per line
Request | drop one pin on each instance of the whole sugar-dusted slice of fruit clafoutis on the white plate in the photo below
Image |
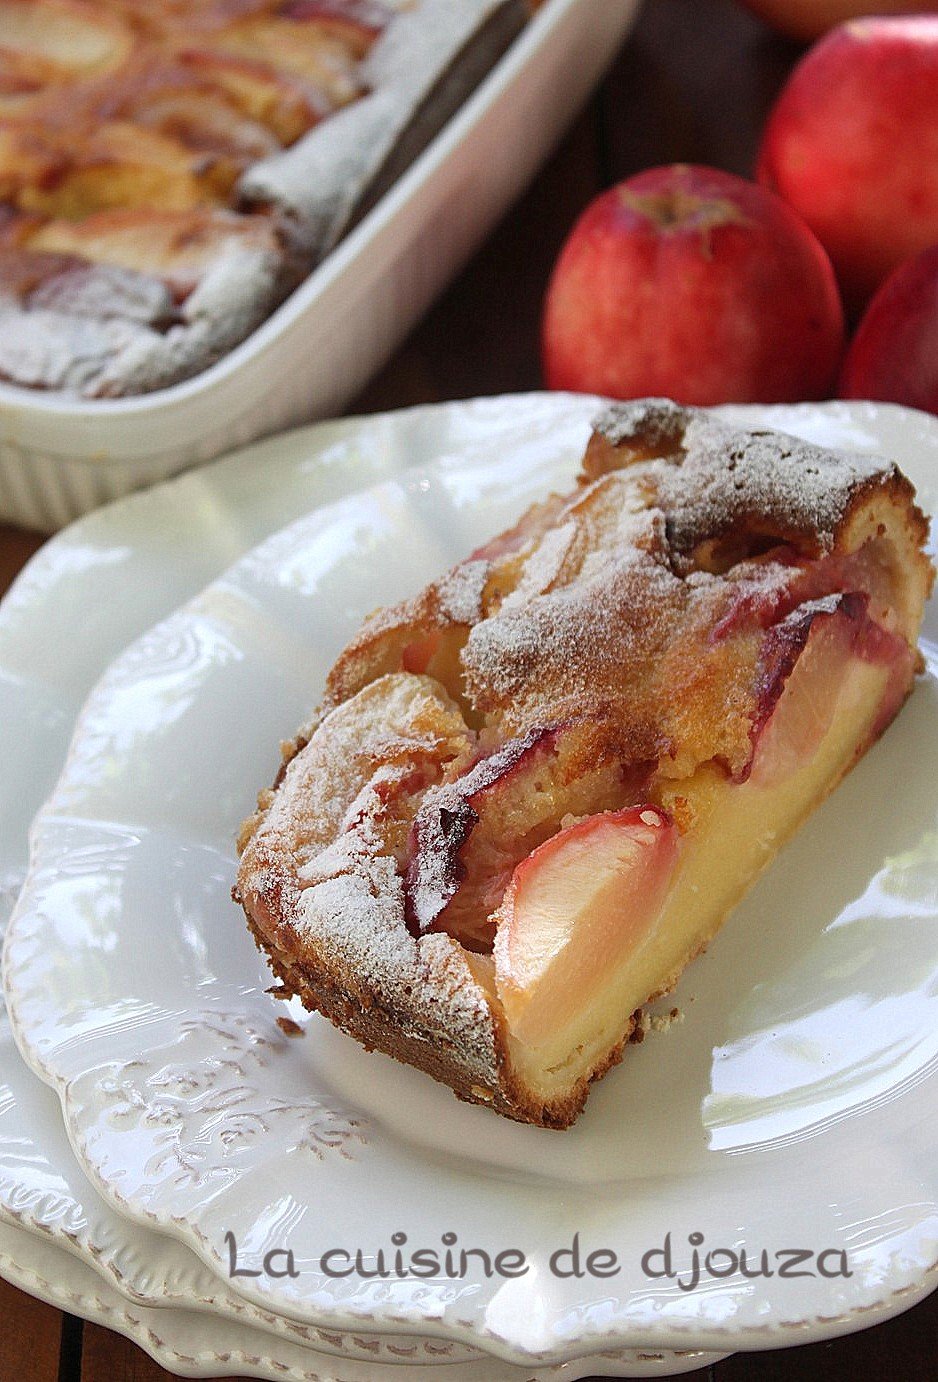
535	791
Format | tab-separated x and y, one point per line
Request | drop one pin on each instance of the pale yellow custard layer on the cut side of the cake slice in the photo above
734	830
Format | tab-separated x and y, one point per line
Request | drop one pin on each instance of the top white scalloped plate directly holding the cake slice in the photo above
139	996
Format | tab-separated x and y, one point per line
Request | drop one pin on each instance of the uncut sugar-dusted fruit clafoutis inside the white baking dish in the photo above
169	172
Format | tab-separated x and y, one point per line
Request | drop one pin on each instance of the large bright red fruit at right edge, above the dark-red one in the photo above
853	146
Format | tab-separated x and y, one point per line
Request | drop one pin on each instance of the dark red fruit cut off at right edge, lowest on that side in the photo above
894	354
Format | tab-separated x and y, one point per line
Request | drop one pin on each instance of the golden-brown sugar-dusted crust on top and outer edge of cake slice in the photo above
624	624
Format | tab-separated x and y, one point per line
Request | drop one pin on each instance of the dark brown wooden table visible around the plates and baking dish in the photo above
693	85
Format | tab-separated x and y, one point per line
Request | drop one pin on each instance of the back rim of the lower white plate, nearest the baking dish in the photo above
110	577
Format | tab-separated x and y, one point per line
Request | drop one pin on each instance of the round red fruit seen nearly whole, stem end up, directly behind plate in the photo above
697	285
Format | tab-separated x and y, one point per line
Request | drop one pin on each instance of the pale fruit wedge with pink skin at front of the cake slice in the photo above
575	909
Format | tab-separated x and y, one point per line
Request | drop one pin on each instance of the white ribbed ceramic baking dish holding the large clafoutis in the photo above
63	457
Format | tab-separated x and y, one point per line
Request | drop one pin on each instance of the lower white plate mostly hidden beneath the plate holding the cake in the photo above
161	547
